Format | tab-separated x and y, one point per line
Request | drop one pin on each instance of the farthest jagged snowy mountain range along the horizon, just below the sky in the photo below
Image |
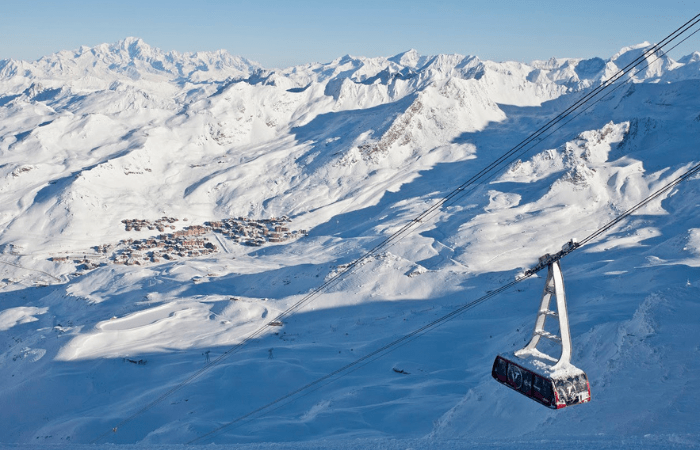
133	58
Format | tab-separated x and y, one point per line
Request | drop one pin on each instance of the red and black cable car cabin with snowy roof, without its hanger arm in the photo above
554	390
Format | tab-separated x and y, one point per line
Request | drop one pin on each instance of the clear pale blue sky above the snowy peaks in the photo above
279	33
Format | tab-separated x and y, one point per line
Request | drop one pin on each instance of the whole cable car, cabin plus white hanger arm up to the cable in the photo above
556	383
